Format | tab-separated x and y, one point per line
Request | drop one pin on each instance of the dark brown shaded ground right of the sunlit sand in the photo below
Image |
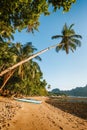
78	109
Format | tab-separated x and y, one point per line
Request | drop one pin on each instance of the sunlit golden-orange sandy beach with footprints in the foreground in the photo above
45	116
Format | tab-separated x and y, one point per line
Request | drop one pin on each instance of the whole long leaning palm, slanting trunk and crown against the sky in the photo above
69	41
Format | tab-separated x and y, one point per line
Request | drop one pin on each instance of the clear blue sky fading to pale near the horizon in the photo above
59	69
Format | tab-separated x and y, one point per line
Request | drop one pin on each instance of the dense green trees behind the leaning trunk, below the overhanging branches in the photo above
27	78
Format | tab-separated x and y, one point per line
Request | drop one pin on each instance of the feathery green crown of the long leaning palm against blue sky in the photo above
70	40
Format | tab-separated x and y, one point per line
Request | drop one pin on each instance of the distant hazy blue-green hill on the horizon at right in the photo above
78	91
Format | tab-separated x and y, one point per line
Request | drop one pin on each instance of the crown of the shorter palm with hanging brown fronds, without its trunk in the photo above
22	52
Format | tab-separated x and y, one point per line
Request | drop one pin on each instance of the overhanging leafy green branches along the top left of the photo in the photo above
20	14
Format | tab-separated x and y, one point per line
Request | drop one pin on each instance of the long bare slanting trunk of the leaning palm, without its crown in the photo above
26	60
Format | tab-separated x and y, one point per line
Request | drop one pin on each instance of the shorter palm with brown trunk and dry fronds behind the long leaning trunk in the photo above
20	52
